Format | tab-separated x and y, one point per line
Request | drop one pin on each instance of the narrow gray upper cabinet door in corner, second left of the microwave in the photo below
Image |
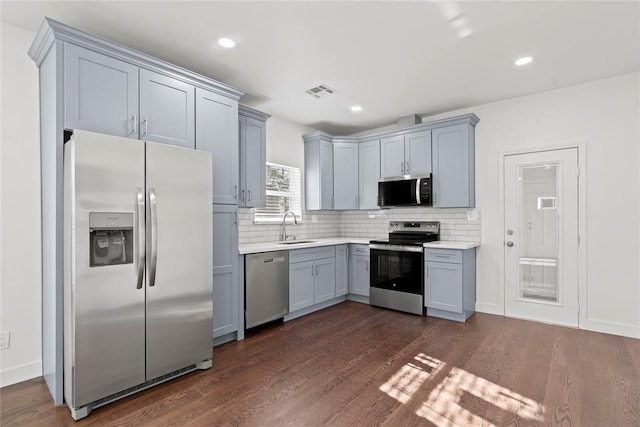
345	175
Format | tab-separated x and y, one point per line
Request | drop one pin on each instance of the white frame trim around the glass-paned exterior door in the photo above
581	146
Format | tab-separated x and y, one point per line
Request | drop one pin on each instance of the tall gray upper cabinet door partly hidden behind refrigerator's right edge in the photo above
217	133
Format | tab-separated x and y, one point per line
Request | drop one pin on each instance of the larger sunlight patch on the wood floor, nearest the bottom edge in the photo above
443	407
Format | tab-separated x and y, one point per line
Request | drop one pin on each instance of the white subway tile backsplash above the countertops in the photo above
454	225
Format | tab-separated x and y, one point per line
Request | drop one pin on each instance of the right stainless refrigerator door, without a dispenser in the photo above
179	217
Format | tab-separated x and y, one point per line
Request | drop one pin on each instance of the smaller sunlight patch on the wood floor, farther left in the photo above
410	377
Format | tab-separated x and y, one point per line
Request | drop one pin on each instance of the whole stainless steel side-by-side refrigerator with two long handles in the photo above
138	266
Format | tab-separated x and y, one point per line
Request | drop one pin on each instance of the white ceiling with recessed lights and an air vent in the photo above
395	58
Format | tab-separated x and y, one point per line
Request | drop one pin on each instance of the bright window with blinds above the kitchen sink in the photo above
284	193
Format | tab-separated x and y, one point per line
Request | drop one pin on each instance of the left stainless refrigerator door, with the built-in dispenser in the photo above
104	308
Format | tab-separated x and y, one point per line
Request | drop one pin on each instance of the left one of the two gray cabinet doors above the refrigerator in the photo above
101	93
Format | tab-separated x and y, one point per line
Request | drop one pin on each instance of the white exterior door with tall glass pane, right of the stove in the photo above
541	236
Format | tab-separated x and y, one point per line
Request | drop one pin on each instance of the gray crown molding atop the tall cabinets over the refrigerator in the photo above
52	30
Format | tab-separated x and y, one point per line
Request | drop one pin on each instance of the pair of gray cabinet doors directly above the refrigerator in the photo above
106	95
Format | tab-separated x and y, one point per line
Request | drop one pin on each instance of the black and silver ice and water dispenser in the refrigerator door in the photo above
111	238
